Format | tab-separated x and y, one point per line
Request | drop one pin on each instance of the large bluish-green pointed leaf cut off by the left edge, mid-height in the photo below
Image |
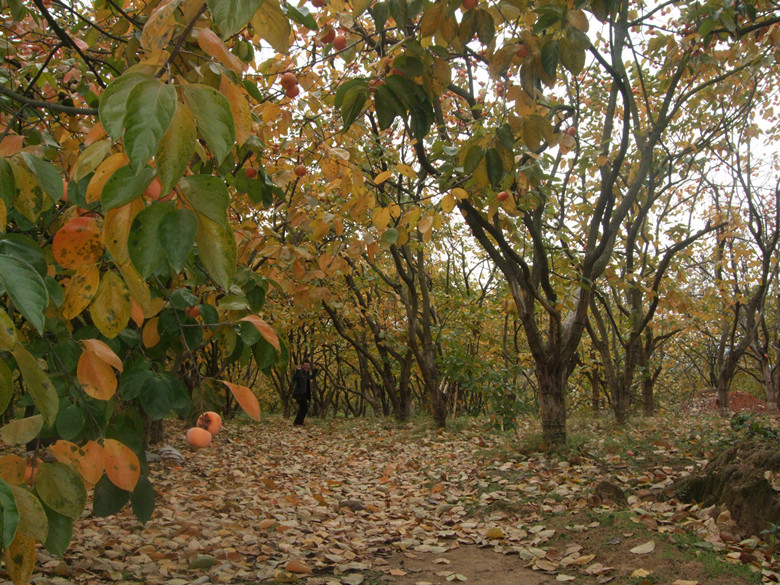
26	288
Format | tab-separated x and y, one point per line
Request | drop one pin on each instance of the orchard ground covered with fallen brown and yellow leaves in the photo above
353	502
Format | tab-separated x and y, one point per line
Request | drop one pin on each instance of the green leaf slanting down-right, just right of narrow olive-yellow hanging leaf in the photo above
214	118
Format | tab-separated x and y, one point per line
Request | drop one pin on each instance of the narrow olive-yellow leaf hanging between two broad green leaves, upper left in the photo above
176	148
